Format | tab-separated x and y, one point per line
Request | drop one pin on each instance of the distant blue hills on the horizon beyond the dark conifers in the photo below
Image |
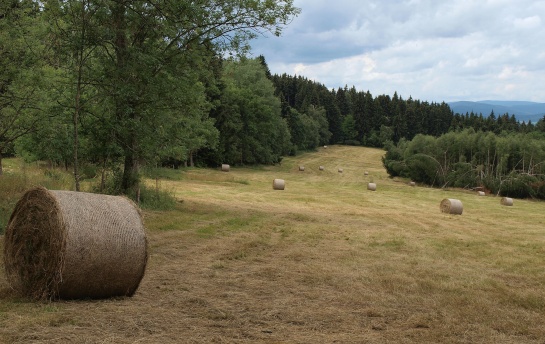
523	111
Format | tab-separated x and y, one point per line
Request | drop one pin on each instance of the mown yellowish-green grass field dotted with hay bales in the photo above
323	261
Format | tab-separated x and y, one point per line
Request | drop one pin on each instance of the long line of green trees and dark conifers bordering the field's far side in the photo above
108	86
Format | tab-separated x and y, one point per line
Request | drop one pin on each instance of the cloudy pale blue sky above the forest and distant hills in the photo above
430	50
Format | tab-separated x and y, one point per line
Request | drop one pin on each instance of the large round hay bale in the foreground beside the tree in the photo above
71	245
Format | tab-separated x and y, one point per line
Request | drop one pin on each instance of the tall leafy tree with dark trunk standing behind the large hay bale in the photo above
150	50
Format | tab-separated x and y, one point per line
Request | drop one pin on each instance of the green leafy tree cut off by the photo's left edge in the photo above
23	96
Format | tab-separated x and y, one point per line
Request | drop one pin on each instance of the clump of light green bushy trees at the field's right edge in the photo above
511	164
